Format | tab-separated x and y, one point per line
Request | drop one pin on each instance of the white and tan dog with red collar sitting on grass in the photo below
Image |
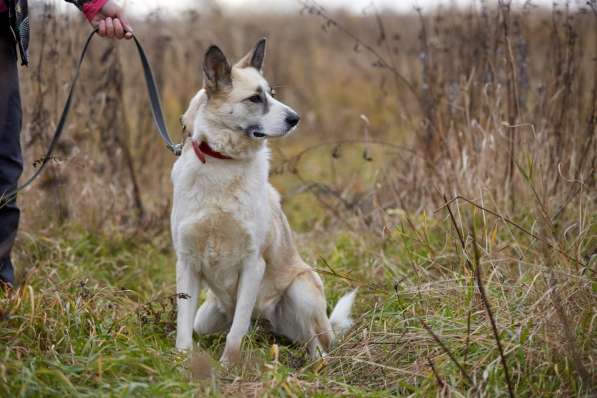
228	228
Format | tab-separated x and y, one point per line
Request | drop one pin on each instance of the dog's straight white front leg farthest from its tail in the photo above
187	290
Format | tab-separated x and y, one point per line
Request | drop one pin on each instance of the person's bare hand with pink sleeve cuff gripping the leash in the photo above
107	16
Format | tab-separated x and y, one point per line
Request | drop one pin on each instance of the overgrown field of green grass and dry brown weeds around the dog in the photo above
445	165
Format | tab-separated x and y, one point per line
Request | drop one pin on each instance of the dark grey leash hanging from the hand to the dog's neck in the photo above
154	100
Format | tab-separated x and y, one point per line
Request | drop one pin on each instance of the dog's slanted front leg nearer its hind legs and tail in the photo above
246	296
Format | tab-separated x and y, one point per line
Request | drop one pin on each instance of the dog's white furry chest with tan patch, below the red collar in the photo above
216	219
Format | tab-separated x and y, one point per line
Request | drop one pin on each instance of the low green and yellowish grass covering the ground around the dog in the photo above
94	316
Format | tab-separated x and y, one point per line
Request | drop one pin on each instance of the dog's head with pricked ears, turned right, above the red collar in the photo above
238	100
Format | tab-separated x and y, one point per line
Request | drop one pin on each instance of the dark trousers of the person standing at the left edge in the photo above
11	161
